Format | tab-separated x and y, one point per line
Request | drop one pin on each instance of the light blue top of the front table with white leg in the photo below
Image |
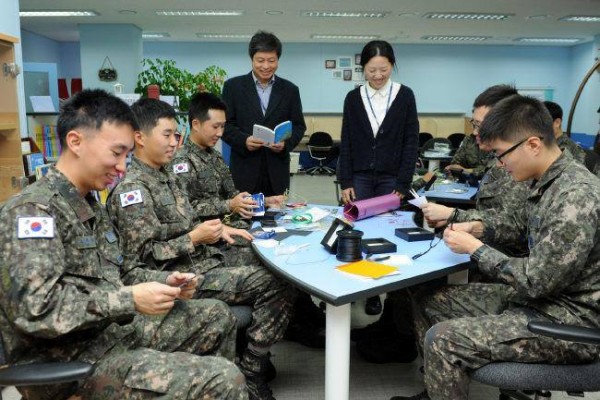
313	269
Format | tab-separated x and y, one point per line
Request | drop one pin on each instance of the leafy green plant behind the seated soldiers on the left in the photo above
174	81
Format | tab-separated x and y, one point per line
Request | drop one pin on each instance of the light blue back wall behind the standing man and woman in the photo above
445	79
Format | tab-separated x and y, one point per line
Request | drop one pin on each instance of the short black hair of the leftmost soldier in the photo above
89	109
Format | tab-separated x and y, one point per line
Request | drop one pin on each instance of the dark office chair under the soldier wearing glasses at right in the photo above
520	381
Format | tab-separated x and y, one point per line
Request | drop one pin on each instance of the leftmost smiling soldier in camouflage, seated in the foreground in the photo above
62	298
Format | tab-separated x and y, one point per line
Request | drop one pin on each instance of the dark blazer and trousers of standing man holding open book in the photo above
243	111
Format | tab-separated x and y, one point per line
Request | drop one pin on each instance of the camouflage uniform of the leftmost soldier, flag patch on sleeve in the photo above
62	300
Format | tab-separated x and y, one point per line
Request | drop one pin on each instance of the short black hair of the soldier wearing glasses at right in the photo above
515	118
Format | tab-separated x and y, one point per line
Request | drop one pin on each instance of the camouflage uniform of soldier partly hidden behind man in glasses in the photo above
498	194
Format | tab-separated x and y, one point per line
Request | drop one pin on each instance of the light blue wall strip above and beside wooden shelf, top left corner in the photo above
9	24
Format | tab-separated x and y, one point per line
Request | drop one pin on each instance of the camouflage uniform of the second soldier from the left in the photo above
156	230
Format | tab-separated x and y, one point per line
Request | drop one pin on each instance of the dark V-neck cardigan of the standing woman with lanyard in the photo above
392	151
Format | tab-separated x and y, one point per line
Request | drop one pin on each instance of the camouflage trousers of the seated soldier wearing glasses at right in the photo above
465	327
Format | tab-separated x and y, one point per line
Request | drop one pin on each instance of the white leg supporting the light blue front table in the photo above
337	353
